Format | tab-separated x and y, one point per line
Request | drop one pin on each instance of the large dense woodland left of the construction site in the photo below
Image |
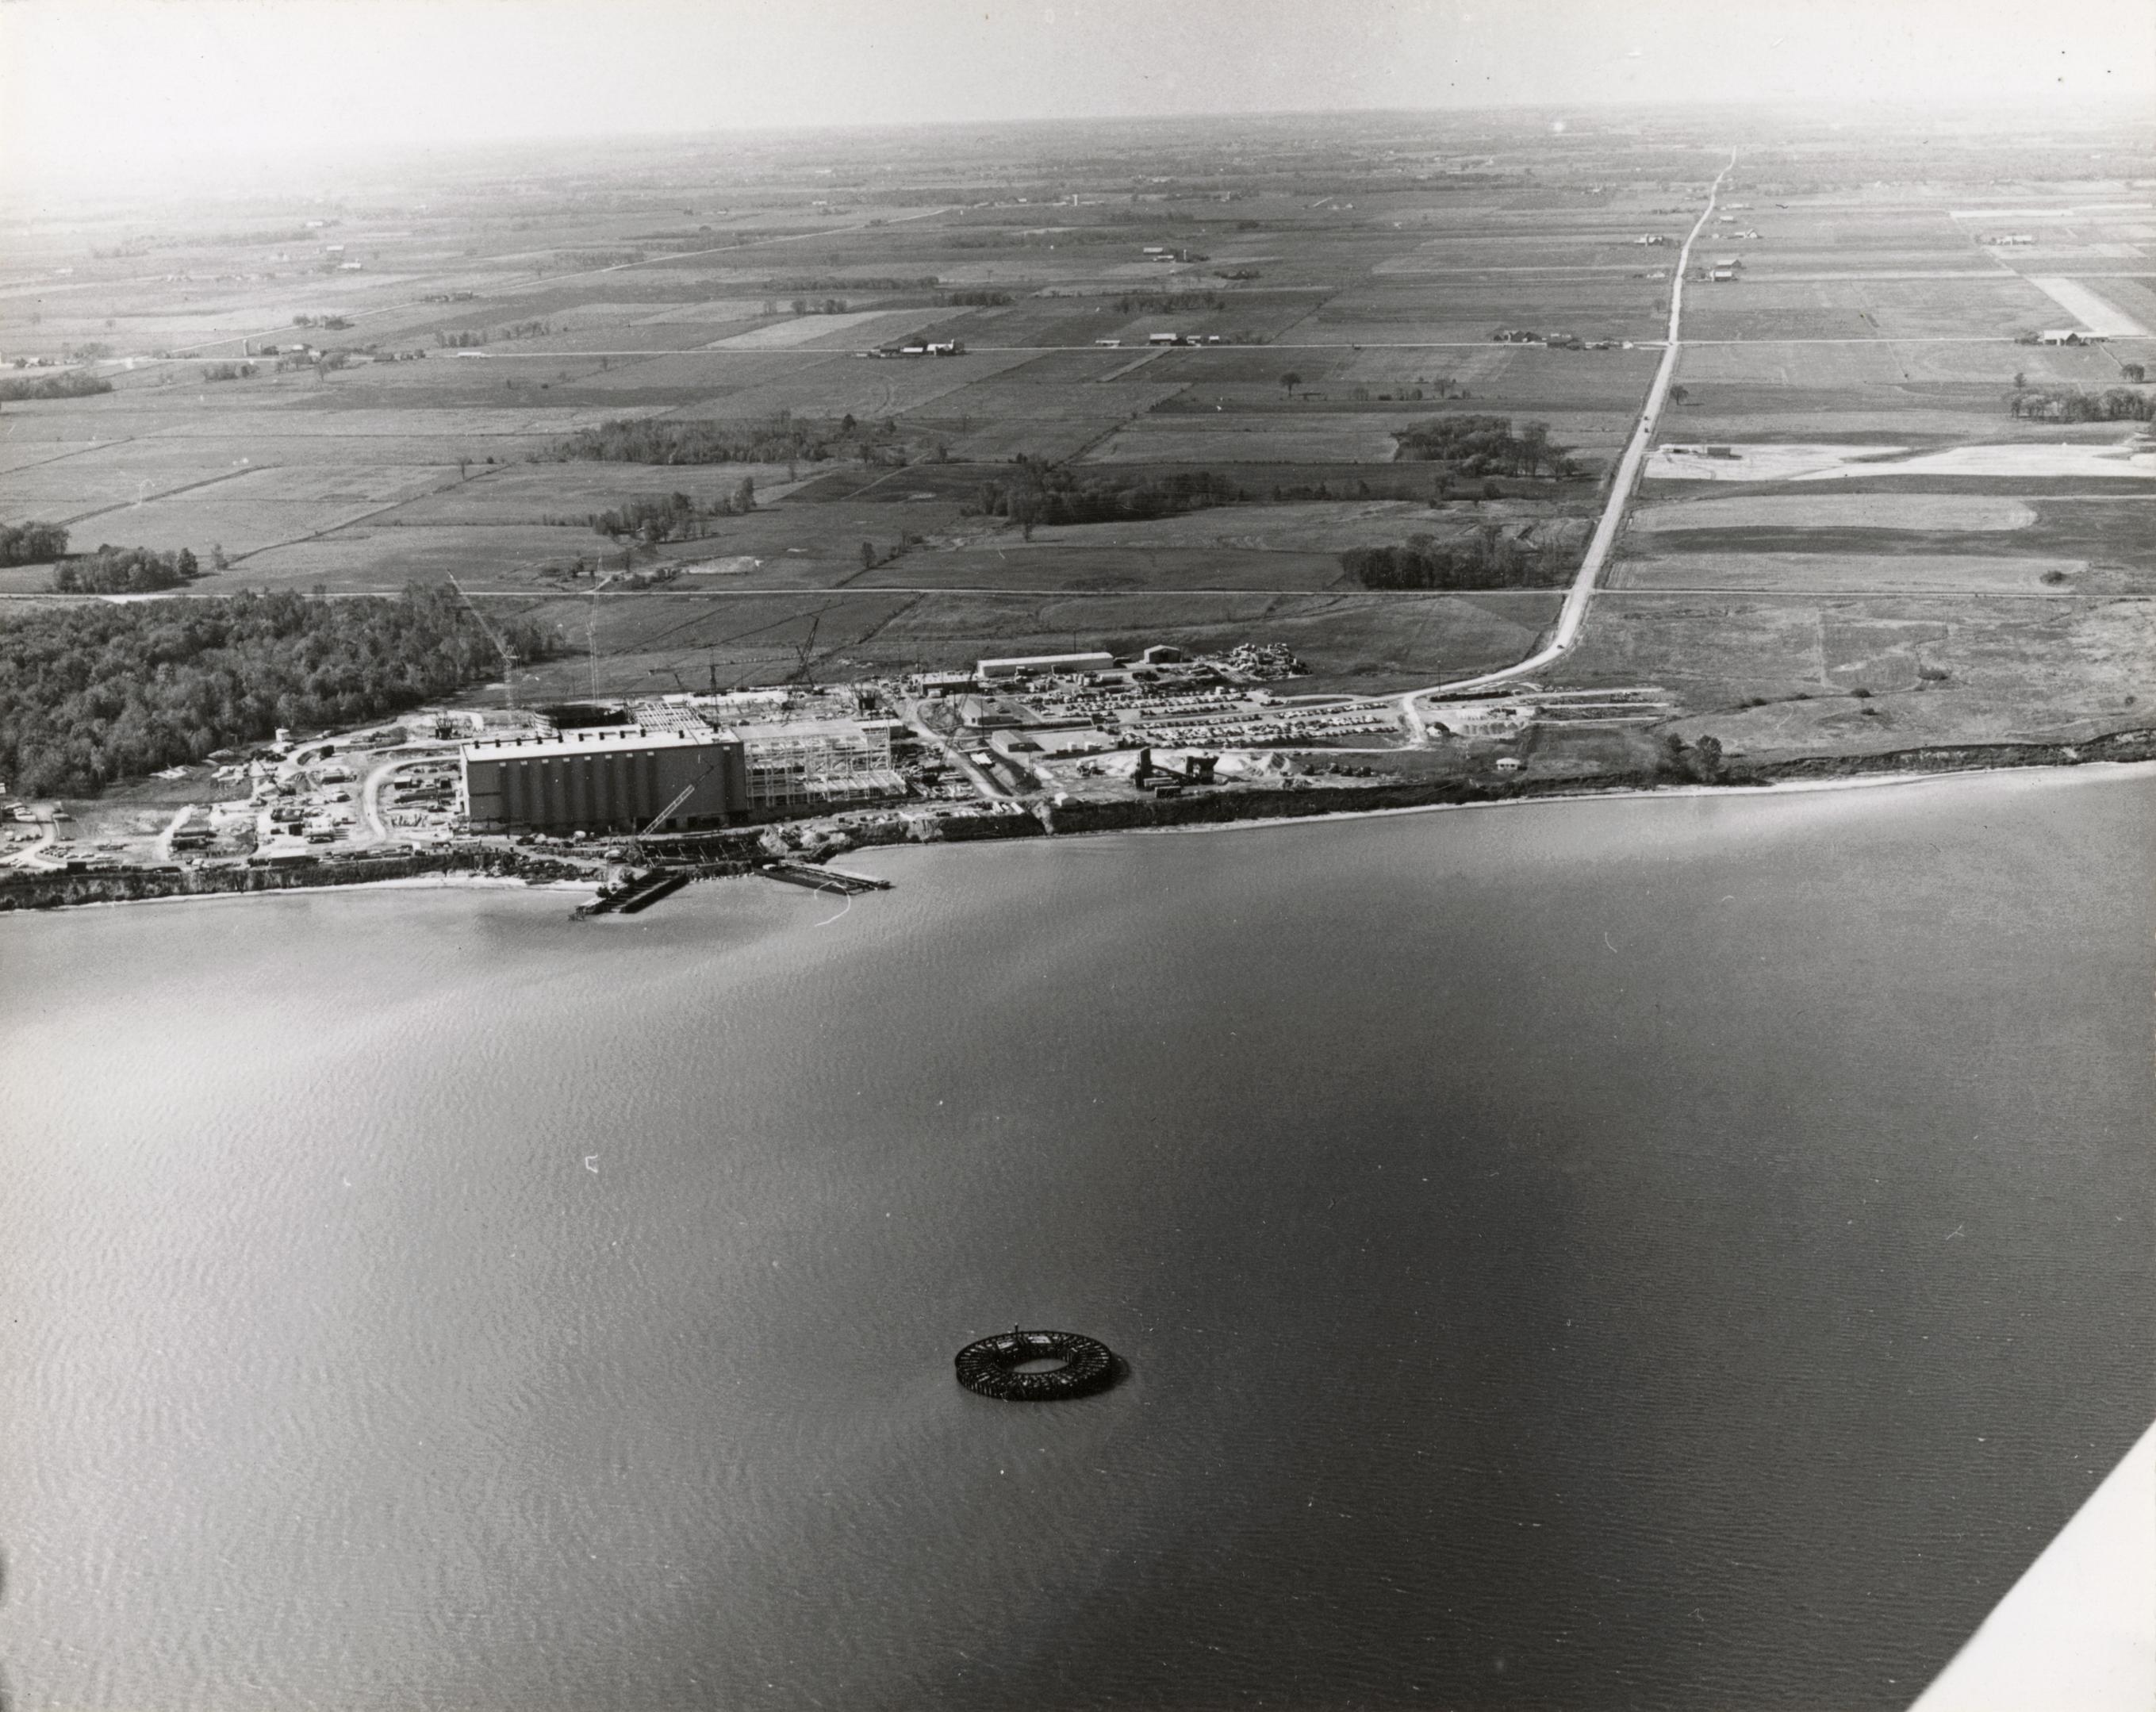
100	693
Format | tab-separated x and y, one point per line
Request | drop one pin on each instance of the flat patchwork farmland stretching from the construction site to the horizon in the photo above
1860	372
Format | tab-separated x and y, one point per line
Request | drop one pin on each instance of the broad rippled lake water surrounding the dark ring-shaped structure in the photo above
1642	1254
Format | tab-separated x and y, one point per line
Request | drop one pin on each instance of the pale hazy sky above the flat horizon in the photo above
126	87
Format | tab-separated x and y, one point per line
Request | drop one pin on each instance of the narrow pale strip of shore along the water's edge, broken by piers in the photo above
1191	820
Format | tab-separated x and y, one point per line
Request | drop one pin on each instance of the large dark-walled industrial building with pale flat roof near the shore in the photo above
616	779
